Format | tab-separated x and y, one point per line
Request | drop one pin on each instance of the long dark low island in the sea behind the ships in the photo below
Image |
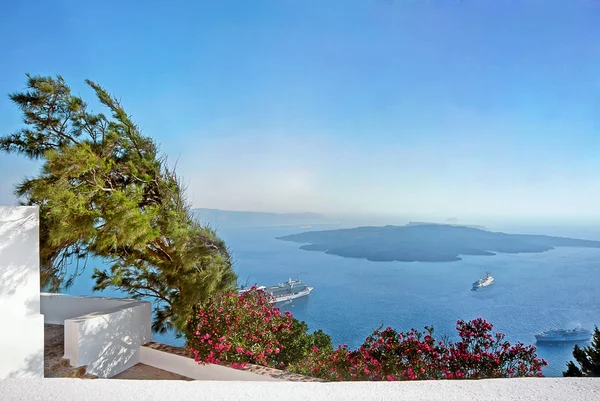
426	242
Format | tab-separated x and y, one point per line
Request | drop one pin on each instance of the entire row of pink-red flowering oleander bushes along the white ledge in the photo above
247	328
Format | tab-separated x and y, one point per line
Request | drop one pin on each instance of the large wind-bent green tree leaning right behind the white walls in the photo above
103	190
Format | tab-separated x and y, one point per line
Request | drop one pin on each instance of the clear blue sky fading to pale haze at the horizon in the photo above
469	109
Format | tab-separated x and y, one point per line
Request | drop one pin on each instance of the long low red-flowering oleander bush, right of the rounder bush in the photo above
390	355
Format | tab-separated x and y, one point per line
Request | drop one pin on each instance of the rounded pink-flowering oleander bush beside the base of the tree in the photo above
247	328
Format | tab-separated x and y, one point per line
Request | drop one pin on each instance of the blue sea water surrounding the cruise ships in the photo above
351	297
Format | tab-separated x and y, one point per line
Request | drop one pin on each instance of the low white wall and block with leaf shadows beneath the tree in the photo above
104	334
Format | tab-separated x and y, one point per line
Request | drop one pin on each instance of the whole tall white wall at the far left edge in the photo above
22	331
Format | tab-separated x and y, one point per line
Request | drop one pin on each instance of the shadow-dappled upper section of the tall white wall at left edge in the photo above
19	259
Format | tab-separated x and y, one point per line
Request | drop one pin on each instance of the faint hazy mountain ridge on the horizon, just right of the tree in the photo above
229	218
